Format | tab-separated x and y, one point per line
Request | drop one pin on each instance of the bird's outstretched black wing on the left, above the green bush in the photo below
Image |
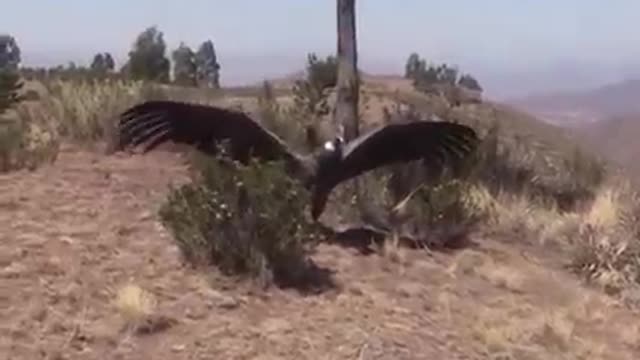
155	122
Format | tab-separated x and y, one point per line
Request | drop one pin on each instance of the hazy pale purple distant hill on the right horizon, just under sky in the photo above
568	108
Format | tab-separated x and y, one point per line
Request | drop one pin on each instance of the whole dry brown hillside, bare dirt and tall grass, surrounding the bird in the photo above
90	270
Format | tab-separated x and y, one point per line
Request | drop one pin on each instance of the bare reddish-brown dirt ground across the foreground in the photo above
79	238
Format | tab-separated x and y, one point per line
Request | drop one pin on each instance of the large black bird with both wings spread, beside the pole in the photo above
201	126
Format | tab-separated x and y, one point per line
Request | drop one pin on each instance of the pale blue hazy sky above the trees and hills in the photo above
492	38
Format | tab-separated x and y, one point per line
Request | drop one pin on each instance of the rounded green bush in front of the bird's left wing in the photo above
246	221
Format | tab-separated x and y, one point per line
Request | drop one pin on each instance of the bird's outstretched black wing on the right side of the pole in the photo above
435	142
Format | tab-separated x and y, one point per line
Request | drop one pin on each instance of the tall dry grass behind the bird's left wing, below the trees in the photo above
84	112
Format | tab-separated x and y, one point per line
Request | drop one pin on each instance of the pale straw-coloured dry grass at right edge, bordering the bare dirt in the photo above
601	240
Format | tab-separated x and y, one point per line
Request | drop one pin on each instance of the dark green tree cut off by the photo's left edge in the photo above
10	83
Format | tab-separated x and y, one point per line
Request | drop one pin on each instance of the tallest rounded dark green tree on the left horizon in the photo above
147	60
